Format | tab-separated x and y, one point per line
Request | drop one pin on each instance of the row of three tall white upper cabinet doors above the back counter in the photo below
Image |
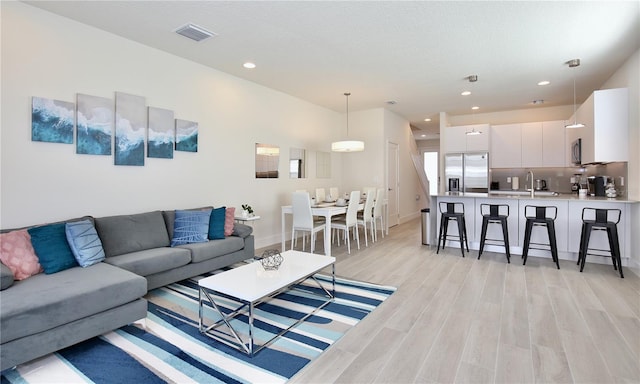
528	145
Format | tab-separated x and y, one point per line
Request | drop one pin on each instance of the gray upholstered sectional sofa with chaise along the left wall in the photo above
45	313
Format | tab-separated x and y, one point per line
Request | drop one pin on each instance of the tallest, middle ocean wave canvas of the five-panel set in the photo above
131	123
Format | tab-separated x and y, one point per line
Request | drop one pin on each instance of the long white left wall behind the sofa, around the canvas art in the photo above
53	57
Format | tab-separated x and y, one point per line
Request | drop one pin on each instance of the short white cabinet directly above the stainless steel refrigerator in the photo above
457	139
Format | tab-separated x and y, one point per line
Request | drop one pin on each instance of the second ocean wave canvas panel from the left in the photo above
94	125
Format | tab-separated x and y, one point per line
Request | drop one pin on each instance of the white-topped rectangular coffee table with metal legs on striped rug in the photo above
250	285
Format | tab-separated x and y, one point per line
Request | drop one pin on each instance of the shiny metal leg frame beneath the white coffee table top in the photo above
233	338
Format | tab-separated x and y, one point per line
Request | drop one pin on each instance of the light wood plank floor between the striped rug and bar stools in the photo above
465	320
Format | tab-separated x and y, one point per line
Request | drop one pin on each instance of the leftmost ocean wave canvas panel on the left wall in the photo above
52	121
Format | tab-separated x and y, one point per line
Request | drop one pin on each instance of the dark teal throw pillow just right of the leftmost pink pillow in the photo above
52	248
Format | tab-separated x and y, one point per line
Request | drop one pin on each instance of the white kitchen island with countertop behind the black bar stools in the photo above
568	222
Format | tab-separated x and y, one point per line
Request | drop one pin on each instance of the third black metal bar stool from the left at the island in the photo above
539	216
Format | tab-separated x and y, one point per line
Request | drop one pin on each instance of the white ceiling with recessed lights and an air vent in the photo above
417	54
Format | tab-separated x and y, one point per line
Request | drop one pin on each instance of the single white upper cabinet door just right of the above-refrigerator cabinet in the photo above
506	146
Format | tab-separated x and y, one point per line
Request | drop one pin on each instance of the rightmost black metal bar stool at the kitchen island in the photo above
603	220
